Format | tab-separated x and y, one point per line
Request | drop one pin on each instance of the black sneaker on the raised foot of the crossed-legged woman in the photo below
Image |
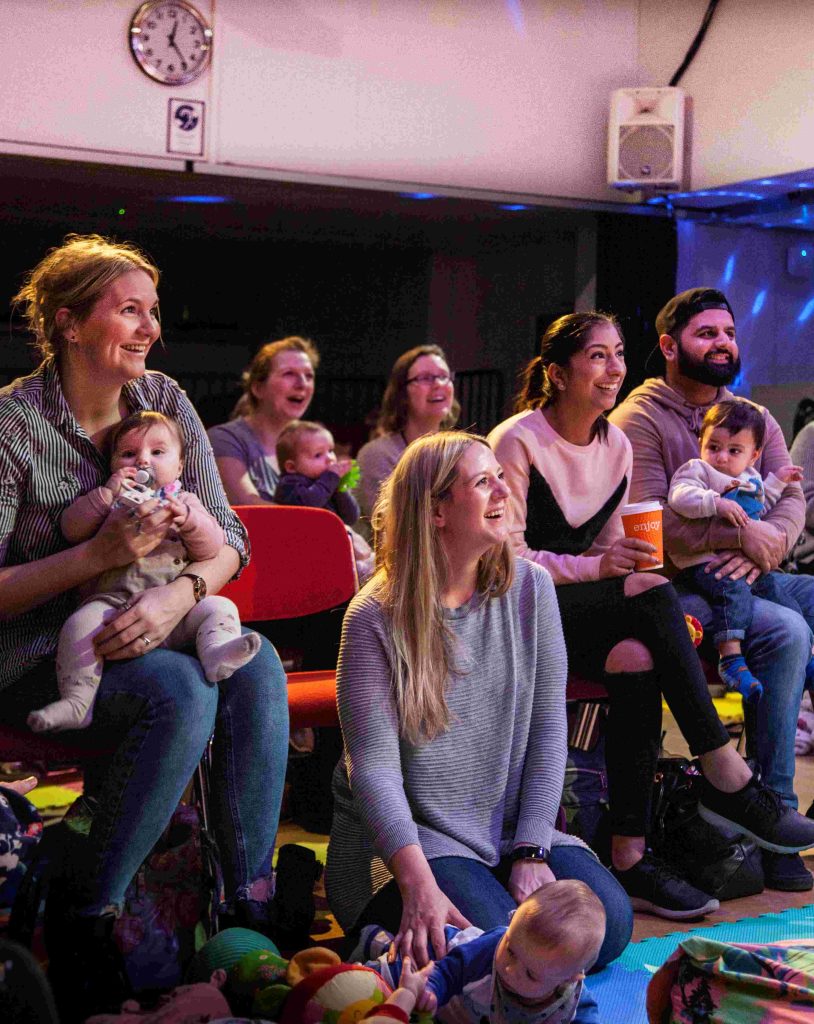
759	814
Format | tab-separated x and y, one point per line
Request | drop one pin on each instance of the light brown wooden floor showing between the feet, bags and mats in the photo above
647	926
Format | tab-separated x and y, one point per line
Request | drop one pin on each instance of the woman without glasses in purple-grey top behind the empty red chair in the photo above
278	388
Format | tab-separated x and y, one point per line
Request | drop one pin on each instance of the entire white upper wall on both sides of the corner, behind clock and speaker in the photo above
507	96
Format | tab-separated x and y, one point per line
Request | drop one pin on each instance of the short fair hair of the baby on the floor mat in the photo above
569	917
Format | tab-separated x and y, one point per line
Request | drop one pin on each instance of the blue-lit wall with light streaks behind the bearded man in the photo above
775	313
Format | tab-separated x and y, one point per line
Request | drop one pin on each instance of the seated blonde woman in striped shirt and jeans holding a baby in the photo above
93	308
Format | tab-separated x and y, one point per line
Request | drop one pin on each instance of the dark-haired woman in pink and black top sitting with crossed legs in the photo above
569	472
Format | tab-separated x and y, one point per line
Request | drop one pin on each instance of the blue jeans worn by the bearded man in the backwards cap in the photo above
778	648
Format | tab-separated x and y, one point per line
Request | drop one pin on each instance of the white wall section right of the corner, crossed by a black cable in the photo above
752	83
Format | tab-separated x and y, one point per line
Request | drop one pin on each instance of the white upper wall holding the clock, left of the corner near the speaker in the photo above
497	95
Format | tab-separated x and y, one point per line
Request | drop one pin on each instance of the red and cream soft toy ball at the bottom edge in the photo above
340	995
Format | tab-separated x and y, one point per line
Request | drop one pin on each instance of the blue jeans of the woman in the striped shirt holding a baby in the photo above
158	712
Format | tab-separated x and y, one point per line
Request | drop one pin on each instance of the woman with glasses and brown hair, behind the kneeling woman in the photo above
419	400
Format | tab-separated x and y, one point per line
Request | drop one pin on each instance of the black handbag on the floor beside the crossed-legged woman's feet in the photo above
721	863
